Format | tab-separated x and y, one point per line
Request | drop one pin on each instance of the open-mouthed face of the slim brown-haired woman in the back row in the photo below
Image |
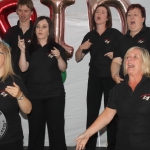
101	16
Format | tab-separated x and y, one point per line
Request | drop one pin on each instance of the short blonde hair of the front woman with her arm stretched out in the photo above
145	60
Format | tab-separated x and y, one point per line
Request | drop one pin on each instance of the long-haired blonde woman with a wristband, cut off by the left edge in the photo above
13	95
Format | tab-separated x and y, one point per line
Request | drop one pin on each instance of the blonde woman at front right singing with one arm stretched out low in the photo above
130	99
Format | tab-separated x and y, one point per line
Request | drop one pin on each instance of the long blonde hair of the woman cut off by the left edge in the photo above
7	61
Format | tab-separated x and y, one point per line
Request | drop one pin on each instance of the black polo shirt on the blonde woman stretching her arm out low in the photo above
133	107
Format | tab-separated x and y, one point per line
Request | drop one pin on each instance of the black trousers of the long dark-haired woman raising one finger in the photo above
50	111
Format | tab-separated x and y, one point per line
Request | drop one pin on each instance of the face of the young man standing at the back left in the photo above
24	13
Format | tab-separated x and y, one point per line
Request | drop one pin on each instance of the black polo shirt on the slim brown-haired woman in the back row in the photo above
101	44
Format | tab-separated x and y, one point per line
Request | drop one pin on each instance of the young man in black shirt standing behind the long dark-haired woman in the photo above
23	29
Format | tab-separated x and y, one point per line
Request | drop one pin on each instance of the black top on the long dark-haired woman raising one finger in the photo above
44	77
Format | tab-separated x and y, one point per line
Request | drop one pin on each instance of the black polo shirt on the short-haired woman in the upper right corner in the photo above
142	39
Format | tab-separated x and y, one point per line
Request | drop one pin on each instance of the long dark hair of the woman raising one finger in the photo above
50	39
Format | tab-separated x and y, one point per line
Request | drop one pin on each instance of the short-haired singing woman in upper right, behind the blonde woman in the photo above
137	35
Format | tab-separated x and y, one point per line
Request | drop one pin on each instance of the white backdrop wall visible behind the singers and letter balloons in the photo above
76	26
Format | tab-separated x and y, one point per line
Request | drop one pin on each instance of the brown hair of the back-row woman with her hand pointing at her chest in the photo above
109	16
